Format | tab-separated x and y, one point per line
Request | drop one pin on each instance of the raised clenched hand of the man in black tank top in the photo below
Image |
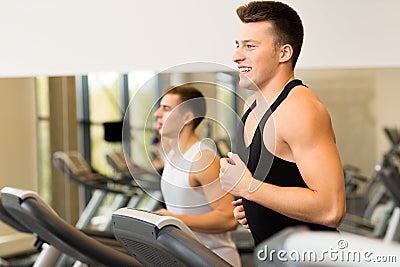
234	176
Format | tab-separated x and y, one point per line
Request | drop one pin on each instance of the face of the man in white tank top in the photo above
170	119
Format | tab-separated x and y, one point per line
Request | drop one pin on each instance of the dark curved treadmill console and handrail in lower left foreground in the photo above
36	215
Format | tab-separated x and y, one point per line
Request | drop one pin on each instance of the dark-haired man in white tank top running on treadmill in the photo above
190	185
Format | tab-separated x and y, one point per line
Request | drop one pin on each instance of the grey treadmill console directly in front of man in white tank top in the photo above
159	240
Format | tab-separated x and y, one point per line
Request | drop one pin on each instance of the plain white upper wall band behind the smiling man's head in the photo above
72	36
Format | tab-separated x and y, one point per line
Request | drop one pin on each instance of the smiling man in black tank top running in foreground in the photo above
287	170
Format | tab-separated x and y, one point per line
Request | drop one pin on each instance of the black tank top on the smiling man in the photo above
266	167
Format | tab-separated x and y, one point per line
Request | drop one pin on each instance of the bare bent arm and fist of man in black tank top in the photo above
311	140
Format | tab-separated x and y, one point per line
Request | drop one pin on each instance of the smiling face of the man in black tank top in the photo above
256	54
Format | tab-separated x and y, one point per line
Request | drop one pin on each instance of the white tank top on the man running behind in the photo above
181	198
